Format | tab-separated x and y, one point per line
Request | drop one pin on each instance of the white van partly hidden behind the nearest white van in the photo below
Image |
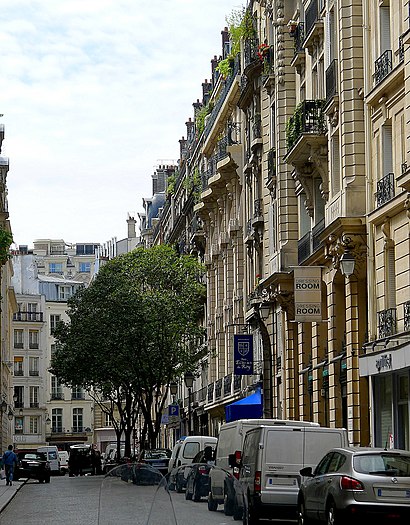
228	457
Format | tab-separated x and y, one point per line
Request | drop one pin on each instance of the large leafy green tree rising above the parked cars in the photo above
133	330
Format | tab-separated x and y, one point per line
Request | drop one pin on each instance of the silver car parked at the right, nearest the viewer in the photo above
357	484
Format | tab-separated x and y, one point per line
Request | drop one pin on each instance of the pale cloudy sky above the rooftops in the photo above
95	94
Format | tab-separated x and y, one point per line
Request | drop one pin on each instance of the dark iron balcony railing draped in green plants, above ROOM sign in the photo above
308	119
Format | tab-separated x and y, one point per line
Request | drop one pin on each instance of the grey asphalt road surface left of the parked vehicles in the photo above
89	500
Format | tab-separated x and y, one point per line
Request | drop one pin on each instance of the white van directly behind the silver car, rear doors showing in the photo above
272	457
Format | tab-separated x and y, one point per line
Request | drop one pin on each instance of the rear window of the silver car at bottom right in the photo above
383	463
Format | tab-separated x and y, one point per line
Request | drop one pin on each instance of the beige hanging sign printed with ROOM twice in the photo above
308	293
